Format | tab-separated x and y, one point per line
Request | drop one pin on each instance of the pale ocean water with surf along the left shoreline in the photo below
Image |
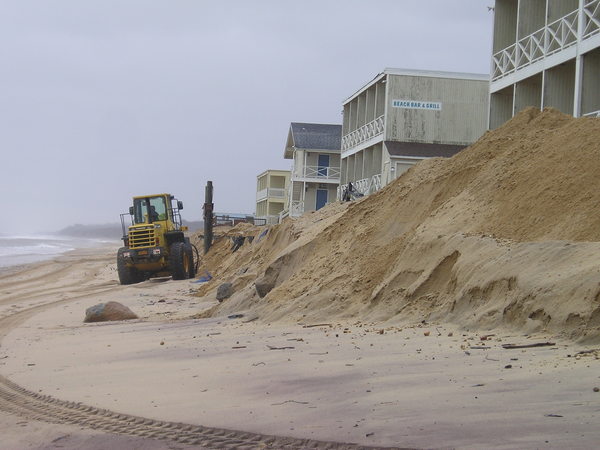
17	250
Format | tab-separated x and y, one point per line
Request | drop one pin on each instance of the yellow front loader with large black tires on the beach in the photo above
154	241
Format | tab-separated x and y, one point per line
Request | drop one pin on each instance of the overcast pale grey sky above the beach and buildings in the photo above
101	100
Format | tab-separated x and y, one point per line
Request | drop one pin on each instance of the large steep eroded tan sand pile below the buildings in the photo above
503	234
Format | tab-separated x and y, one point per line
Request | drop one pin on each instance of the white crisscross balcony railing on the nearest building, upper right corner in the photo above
556	36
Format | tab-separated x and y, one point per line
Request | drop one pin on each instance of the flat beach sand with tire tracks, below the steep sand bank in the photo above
424	385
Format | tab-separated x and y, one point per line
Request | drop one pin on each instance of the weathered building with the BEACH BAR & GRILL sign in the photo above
404	116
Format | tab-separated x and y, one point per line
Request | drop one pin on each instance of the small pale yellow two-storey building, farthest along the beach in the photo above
271	195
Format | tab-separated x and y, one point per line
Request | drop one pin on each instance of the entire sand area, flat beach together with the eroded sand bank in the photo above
458	307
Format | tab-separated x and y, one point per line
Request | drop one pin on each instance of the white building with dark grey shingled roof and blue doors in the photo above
314	149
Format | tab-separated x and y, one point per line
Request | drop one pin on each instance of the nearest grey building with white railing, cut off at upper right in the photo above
546	53
